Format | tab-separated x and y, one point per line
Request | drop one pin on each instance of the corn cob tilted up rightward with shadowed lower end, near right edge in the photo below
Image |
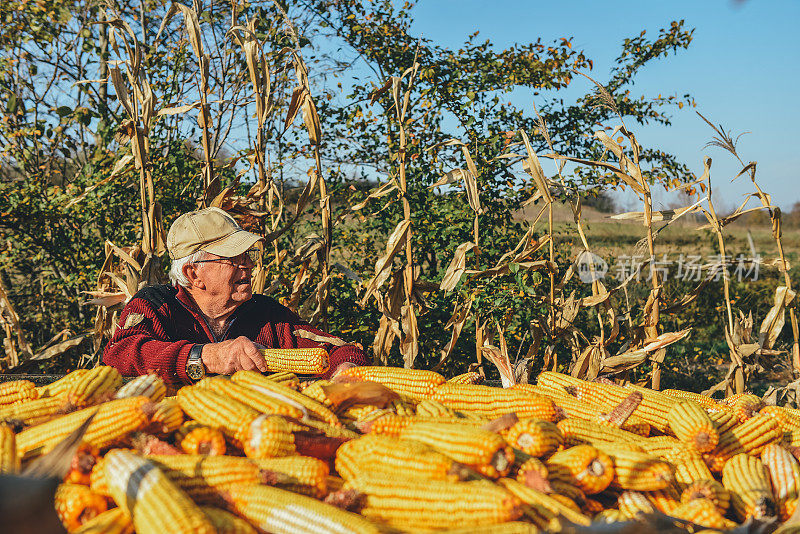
749	437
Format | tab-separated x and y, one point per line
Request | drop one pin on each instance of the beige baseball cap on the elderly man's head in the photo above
212	230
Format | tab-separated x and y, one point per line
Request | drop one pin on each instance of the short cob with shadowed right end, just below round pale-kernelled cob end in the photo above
299	474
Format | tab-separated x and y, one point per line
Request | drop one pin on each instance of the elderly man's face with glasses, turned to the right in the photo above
227	280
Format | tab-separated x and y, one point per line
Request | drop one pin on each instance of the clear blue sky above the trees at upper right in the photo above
741	68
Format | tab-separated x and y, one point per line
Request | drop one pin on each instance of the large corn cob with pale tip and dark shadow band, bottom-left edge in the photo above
148	497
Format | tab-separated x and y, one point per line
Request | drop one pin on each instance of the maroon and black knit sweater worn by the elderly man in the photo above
160	324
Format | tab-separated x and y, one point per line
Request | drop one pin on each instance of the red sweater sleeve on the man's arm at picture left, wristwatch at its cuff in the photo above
141	345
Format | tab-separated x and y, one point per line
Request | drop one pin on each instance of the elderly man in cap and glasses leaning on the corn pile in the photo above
210	321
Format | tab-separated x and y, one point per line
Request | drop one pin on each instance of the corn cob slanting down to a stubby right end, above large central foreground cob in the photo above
482	450
